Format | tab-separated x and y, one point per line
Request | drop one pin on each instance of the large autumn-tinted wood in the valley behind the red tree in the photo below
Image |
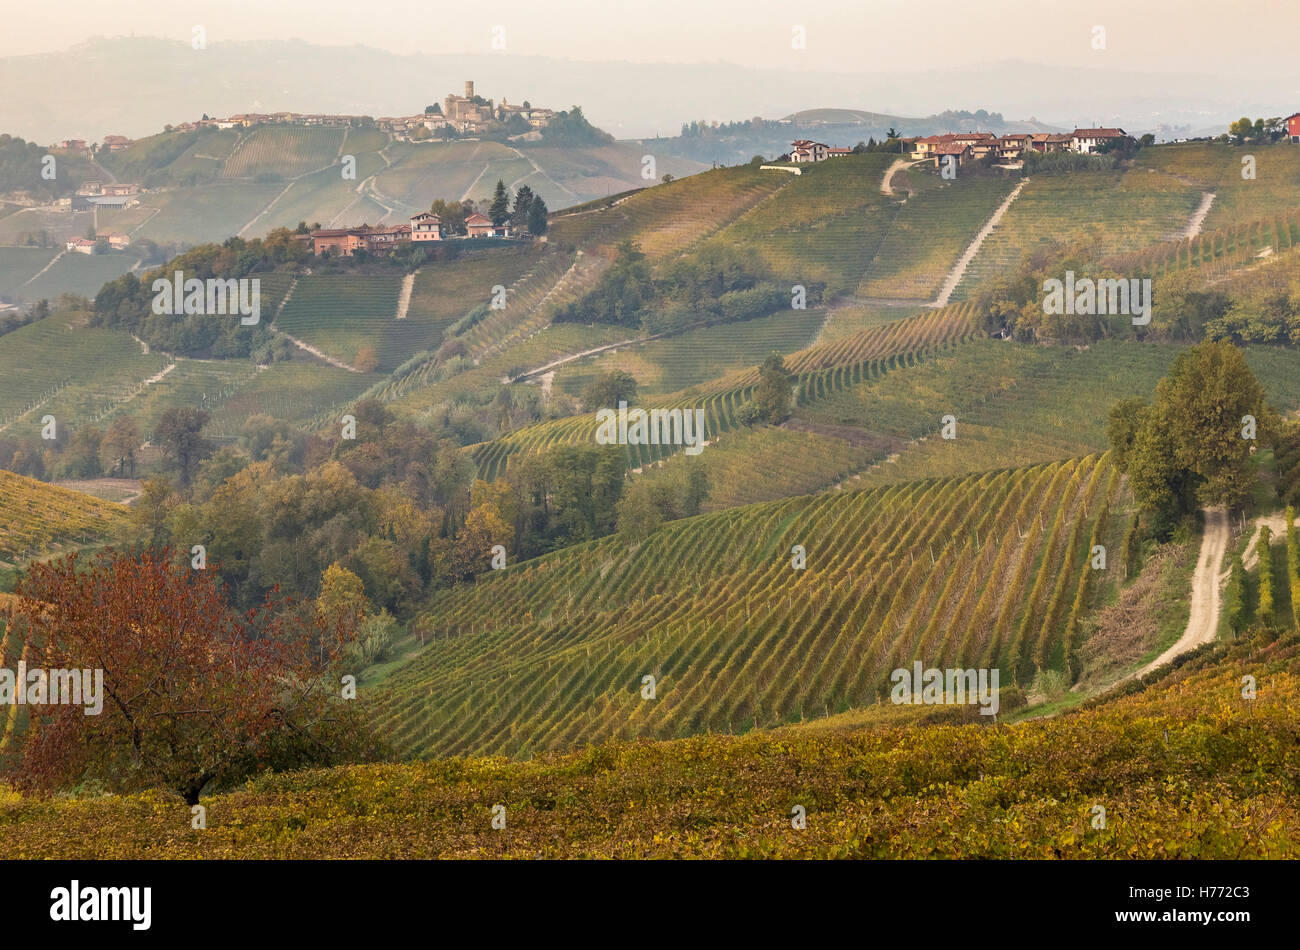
397	506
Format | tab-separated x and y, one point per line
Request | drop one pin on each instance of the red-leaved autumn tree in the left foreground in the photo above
194	692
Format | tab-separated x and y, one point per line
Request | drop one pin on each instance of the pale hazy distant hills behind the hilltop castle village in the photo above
133	86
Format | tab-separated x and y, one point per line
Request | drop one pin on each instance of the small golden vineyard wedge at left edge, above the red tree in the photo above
40	519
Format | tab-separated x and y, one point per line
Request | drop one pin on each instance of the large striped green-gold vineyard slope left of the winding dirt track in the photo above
985	570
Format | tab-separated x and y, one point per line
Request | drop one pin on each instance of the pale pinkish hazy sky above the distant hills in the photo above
1217	37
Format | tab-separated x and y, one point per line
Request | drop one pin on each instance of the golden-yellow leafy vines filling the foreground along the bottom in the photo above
946	791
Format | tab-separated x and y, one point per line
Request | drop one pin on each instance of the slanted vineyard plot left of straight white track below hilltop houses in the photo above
929	237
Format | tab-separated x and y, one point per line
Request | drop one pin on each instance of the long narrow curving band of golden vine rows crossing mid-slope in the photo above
820	371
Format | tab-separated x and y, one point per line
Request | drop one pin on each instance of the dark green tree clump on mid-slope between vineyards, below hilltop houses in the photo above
718	283
